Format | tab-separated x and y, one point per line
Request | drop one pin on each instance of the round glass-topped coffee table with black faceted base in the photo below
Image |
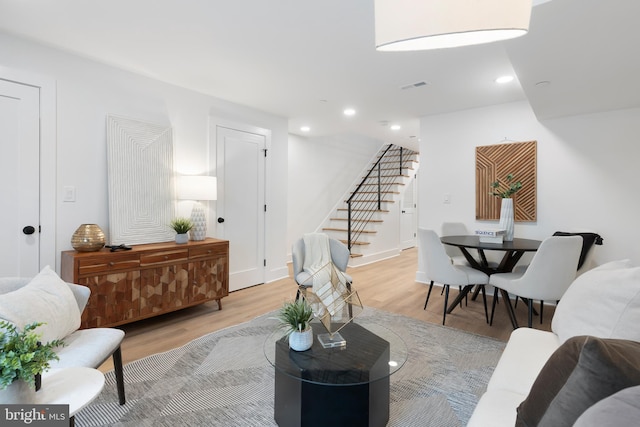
336	386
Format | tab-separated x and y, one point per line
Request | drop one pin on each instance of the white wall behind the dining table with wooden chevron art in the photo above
587	172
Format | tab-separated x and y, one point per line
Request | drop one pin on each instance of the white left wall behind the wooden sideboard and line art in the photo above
87	91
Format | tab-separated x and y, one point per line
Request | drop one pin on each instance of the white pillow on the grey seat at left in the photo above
46	298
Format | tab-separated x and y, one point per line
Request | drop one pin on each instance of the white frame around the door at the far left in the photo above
48	160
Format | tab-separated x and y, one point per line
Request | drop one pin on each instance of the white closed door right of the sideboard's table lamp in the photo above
240	161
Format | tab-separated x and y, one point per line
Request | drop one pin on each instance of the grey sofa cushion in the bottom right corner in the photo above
620	409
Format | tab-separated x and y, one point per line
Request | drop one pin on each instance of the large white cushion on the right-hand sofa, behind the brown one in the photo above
603	302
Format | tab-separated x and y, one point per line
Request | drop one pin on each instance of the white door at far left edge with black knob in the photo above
19	177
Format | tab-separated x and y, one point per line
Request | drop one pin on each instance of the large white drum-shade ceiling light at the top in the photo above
403	25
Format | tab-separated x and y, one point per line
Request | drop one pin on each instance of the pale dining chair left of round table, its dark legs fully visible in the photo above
440	269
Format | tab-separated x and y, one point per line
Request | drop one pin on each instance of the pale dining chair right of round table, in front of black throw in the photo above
550	273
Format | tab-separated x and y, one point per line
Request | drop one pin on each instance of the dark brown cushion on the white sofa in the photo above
583	371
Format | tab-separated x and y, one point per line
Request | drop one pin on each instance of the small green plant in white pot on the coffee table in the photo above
296	318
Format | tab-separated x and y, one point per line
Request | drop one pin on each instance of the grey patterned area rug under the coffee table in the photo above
224	379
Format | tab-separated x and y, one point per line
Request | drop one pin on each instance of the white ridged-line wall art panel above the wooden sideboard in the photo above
140	178
